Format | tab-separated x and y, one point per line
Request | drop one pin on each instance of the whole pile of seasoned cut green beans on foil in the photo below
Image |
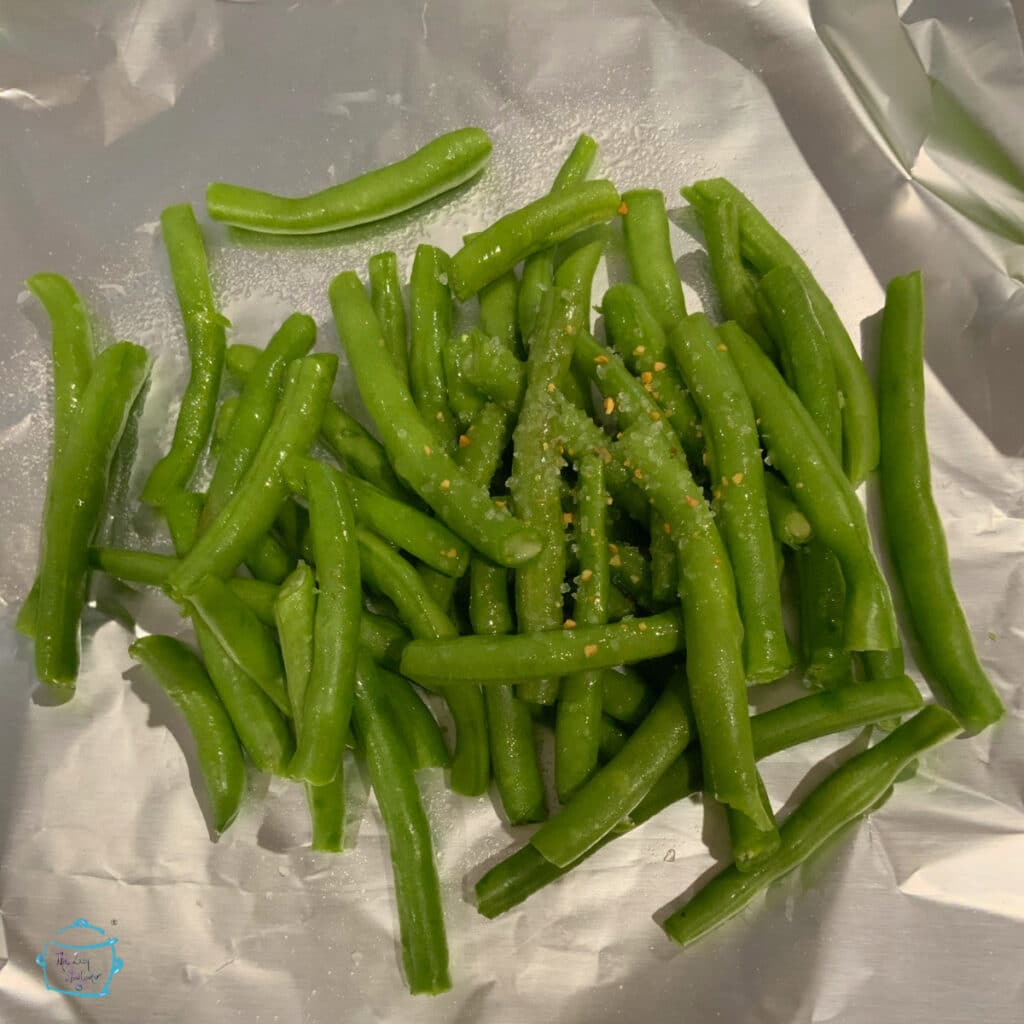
543	530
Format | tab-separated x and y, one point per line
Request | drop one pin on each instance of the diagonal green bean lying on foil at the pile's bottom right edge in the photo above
847	795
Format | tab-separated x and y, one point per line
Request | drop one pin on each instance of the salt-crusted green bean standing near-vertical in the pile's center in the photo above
536	482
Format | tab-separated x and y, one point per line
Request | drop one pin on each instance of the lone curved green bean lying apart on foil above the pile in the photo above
443	164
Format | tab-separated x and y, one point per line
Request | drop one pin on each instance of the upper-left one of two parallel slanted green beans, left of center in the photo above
257	406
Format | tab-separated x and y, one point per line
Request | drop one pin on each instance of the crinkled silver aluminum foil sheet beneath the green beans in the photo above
883	137
